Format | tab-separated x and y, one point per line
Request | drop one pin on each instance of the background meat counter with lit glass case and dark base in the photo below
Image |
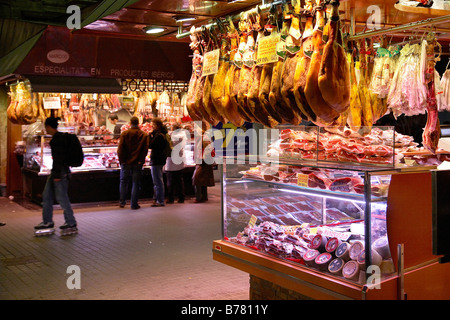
97	179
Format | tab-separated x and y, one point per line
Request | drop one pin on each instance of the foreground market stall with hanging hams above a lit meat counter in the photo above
337	207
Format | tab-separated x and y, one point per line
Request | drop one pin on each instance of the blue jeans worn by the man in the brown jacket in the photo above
133	171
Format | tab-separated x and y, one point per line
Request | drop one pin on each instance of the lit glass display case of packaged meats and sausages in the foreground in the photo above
327	218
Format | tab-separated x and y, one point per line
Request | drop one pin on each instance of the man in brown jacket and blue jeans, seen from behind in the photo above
132	150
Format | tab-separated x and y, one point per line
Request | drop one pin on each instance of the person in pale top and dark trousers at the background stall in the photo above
175	164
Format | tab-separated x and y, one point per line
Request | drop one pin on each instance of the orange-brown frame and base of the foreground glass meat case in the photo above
410	248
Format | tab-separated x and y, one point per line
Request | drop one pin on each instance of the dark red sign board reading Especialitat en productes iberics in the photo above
60	52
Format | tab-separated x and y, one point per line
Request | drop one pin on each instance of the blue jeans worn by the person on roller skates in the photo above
57	190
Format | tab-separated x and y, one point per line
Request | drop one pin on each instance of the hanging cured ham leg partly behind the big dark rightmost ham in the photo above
324	112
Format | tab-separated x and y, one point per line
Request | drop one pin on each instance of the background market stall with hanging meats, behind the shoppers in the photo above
87	116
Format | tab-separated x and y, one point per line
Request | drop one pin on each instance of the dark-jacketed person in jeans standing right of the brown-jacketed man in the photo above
157	144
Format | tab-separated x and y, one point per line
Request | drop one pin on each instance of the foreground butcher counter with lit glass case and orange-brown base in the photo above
307	229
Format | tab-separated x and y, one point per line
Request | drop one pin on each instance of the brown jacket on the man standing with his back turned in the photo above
133	146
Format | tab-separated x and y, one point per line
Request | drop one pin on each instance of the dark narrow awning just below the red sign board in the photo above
74	84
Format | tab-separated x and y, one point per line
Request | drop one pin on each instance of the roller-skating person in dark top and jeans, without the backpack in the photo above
57	183
